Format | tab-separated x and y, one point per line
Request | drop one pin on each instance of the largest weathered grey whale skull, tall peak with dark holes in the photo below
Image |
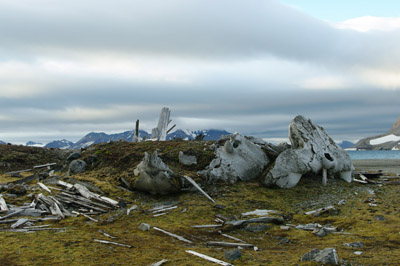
312	151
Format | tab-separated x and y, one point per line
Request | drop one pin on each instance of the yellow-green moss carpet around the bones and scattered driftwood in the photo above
75	246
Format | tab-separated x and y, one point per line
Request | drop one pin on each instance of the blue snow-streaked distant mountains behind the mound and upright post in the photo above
94	138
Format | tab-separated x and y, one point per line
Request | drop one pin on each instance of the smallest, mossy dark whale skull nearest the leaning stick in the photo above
154	176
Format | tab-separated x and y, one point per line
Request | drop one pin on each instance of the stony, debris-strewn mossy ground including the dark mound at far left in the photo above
363	225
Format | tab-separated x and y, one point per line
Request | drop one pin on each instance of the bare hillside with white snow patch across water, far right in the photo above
387	141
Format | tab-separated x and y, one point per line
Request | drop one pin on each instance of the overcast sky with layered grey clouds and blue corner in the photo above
71	67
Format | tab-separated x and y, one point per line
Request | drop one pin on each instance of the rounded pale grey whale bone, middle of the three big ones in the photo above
237	159
